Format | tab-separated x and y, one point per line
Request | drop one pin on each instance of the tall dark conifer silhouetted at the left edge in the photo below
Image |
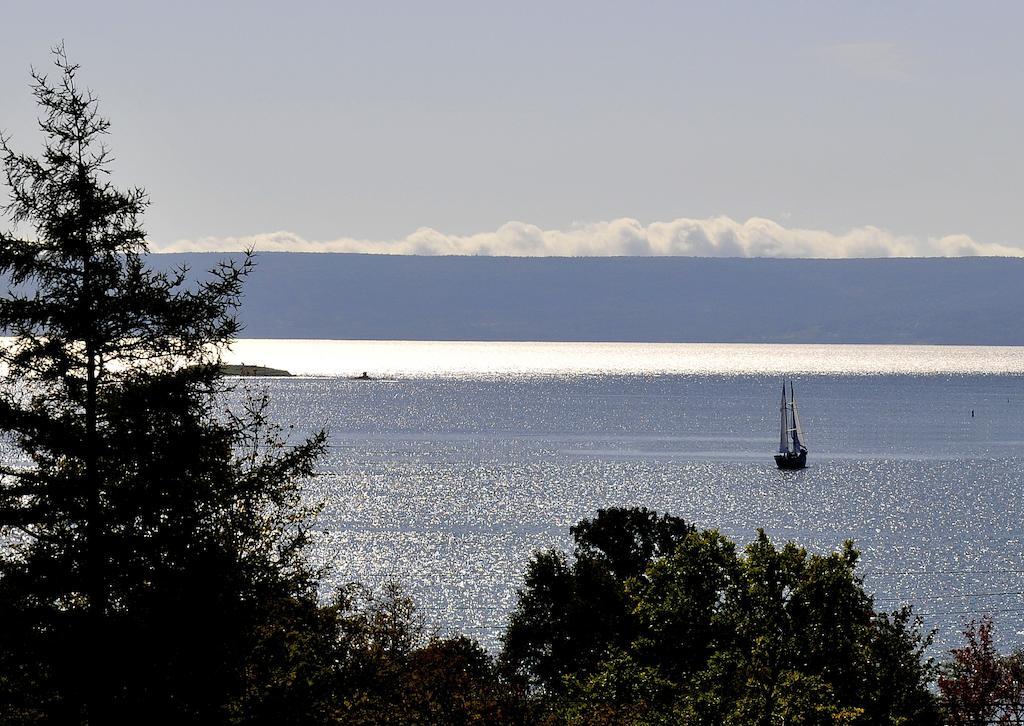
148	538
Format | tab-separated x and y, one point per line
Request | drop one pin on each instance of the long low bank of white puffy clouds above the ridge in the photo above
716	237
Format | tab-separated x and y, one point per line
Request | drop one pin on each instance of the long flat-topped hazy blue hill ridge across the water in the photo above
969	302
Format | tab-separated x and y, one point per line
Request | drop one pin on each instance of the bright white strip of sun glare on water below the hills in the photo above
441	359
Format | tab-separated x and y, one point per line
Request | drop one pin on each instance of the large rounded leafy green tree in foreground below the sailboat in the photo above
702	633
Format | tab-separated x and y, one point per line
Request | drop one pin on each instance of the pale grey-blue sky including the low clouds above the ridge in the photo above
798	130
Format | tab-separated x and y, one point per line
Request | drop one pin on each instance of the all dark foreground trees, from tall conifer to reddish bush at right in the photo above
154	540
